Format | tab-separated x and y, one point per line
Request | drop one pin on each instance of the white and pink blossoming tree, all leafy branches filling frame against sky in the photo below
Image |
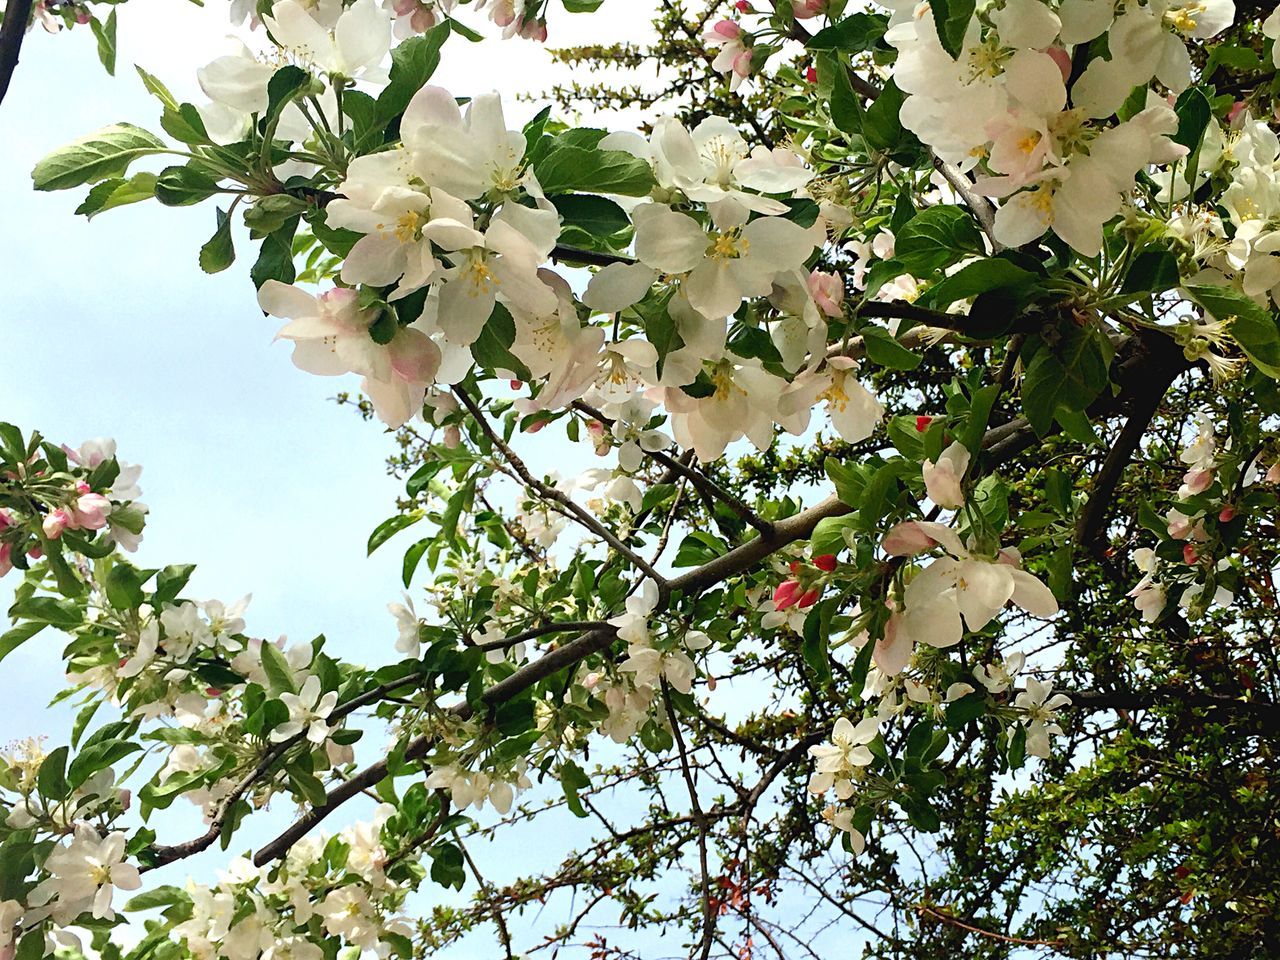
973	653
